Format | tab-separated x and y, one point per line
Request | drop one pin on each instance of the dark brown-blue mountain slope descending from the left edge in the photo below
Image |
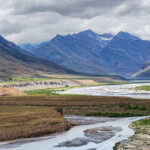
15	61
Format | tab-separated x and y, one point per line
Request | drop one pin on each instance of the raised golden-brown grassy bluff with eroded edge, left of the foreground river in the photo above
26	121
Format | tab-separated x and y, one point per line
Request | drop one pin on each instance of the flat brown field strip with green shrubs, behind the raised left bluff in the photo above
85	105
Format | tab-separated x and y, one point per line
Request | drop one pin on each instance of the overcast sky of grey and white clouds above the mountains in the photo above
33	21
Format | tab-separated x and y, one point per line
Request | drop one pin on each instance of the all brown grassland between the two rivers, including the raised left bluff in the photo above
29	116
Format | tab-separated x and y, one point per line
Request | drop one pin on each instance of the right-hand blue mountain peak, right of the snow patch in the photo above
125	54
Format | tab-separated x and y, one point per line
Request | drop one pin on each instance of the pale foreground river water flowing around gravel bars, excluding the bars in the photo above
119	127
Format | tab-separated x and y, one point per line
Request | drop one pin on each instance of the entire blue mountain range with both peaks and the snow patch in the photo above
89	52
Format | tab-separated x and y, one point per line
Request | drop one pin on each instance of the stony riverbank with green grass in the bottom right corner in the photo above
141	139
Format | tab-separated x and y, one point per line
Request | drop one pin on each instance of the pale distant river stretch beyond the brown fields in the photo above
111	90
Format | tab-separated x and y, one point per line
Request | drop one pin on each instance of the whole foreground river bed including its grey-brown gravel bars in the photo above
93	133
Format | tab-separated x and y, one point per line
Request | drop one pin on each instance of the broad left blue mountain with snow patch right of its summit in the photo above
79	52
